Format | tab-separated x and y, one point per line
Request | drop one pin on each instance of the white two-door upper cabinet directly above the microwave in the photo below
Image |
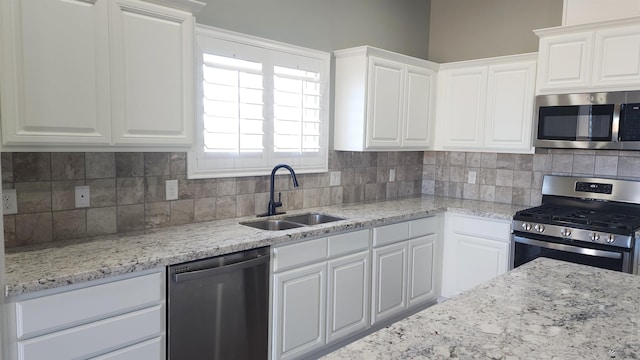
601	56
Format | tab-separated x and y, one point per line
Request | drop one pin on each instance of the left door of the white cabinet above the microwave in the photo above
565	62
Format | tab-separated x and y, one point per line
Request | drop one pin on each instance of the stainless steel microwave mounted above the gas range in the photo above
588	121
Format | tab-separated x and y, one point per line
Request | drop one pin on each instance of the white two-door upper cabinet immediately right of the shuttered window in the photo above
383	101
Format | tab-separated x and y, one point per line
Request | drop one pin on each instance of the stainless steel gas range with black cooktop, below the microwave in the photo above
591	221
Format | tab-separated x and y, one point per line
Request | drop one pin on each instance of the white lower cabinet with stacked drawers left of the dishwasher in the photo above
120	319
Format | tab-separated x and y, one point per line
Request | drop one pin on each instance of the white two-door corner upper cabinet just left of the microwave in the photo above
487	104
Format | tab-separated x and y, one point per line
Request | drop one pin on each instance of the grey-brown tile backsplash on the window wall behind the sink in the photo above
127	191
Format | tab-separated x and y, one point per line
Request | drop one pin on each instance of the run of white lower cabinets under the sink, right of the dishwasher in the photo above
328	289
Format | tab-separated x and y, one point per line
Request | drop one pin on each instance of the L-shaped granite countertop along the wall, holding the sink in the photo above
57	264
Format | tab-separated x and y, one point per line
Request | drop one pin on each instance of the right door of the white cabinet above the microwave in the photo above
617	57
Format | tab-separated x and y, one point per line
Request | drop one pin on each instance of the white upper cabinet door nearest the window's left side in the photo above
151	55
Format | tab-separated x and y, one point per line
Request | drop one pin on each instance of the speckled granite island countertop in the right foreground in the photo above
546	309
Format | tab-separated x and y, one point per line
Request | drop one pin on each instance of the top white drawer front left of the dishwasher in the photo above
76	307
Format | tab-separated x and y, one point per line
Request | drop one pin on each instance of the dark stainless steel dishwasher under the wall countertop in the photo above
218	308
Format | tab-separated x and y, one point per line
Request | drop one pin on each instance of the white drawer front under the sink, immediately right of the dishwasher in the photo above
306	252
